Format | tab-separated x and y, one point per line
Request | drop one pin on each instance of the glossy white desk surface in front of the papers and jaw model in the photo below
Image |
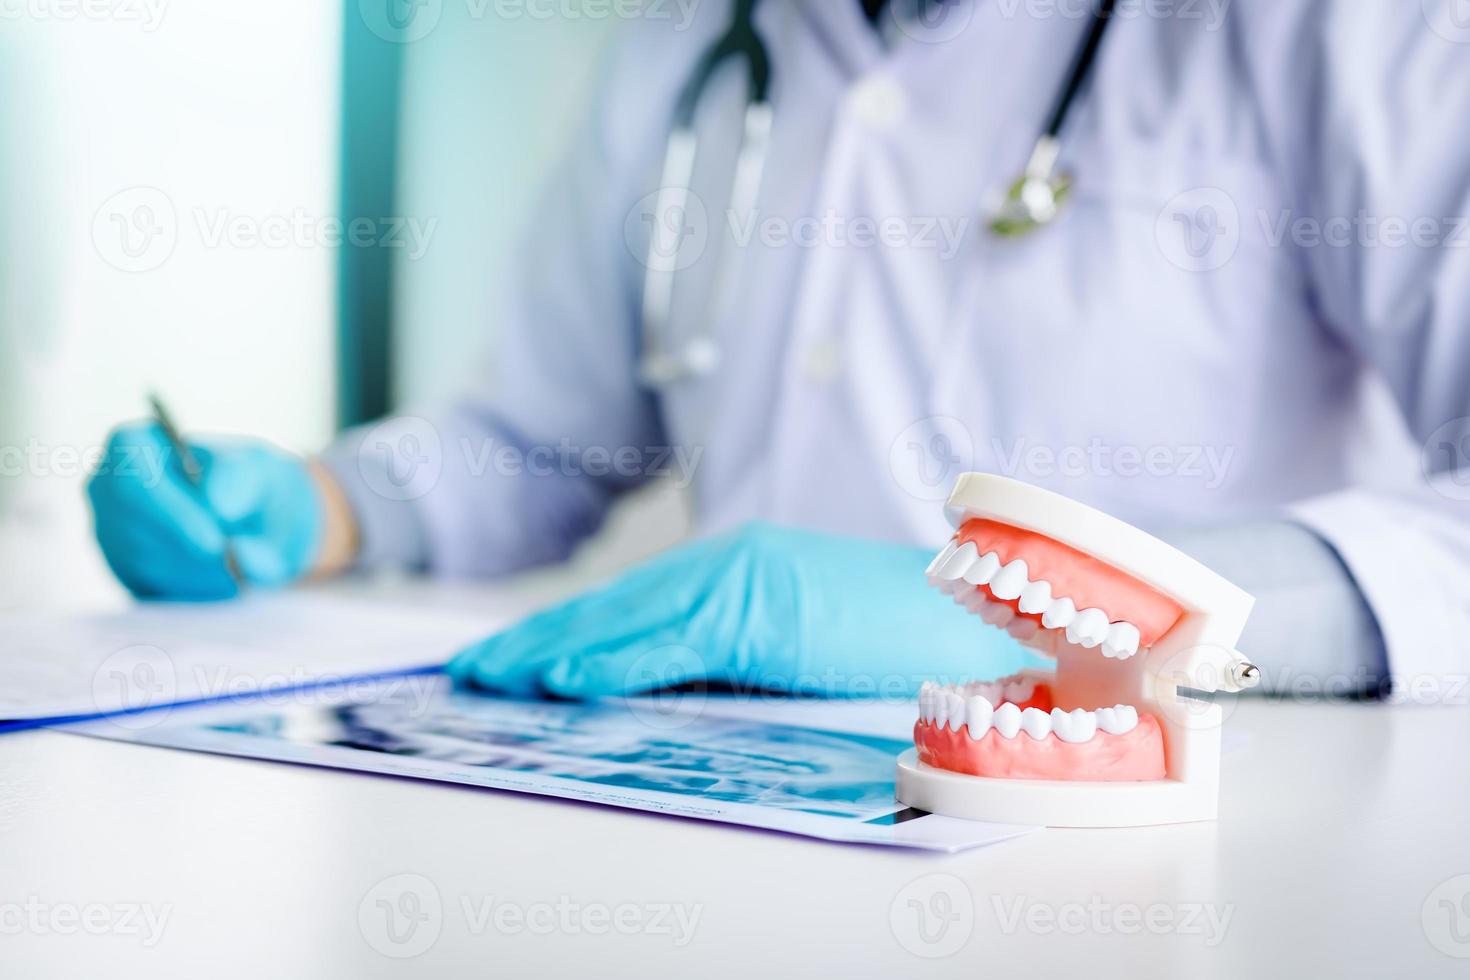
1338	824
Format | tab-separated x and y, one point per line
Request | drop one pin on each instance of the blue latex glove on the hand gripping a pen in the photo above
165	538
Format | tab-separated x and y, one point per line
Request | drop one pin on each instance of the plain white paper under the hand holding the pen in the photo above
60	666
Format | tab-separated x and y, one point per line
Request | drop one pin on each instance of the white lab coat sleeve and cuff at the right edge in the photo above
1369	134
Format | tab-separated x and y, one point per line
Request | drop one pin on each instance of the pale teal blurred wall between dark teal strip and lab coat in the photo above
489	105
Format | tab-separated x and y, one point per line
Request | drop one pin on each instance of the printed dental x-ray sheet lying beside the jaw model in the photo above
675	756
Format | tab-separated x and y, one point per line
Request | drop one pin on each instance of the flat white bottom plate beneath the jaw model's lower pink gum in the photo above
1052	803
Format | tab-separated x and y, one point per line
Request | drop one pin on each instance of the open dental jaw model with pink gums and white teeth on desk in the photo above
1109	740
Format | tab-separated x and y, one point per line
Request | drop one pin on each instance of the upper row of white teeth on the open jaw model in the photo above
1087	628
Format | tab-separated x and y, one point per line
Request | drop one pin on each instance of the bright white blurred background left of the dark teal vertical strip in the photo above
127	145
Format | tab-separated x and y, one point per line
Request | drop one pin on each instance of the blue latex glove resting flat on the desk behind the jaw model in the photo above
761	609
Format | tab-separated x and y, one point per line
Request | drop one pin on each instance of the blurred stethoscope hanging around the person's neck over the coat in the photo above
1033	202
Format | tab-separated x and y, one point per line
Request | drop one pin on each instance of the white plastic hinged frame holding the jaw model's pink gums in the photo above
1199	653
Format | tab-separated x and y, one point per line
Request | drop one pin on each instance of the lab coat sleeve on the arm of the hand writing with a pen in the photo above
521	468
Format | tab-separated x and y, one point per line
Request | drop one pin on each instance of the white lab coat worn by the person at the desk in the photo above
1125	356
